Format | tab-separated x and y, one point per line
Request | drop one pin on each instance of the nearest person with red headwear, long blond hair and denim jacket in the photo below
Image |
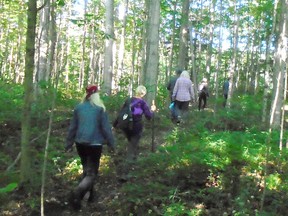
89	129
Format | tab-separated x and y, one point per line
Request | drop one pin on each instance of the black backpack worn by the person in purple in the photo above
124	118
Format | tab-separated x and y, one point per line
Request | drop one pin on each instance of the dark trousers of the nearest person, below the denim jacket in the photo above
90	160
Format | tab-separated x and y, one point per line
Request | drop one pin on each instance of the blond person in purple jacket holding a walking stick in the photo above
139	108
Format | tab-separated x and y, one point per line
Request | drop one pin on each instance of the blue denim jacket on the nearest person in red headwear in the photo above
89	125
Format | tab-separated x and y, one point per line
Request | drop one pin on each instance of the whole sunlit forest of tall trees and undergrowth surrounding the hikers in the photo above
223	160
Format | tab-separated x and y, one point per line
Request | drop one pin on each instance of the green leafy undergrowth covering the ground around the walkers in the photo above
216	162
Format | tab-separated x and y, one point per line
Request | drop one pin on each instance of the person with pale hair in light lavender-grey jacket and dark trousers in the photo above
183	93
